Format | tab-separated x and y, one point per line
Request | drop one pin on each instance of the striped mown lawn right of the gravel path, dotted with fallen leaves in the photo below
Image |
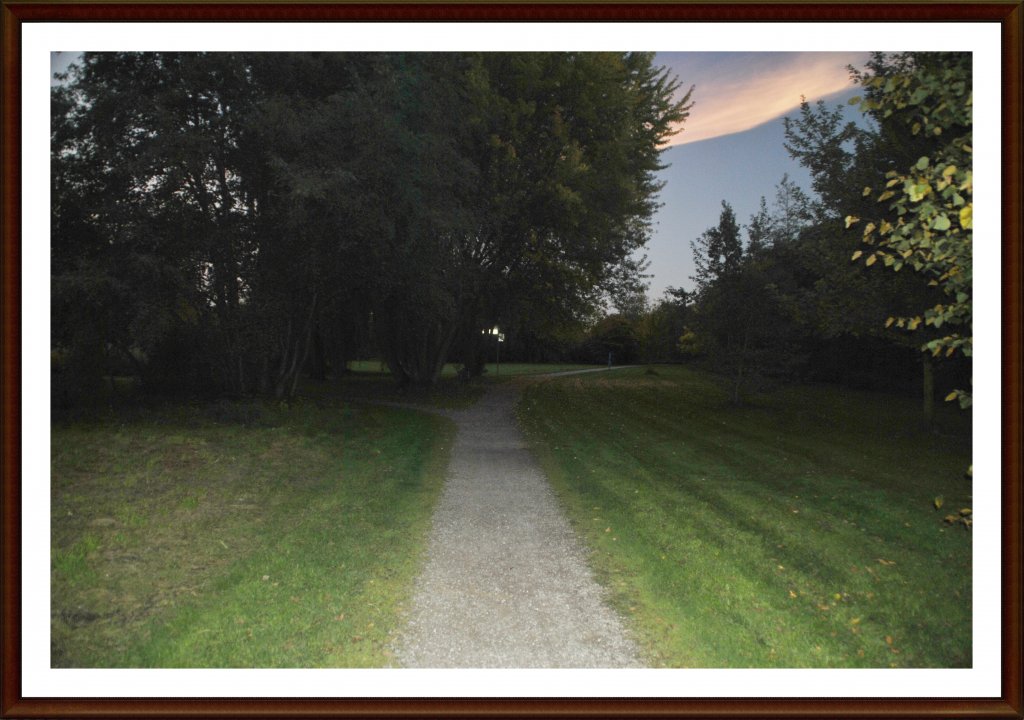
798	531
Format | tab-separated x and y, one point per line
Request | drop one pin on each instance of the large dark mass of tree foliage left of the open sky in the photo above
227	222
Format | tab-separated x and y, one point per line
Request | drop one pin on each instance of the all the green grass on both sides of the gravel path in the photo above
800	530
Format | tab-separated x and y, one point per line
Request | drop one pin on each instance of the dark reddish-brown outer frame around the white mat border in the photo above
1010	15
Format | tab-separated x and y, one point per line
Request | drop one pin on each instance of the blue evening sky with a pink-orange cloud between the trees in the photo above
731	147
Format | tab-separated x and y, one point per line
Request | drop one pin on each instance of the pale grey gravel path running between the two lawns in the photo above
506	583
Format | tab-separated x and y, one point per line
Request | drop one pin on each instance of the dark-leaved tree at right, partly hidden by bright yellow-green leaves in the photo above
844	158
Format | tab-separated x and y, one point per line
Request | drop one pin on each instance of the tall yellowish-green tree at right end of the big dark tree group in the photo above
568	146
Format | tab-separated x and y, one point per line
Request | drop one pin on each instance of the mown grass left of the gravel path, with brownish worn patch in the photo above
243	536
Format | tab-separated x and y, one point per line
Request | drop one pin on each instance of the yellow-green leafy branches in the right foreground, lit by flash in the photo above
929	224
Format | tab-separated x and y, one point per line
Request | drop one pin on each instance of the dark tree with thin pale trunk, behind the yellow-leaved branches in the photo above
844	159
